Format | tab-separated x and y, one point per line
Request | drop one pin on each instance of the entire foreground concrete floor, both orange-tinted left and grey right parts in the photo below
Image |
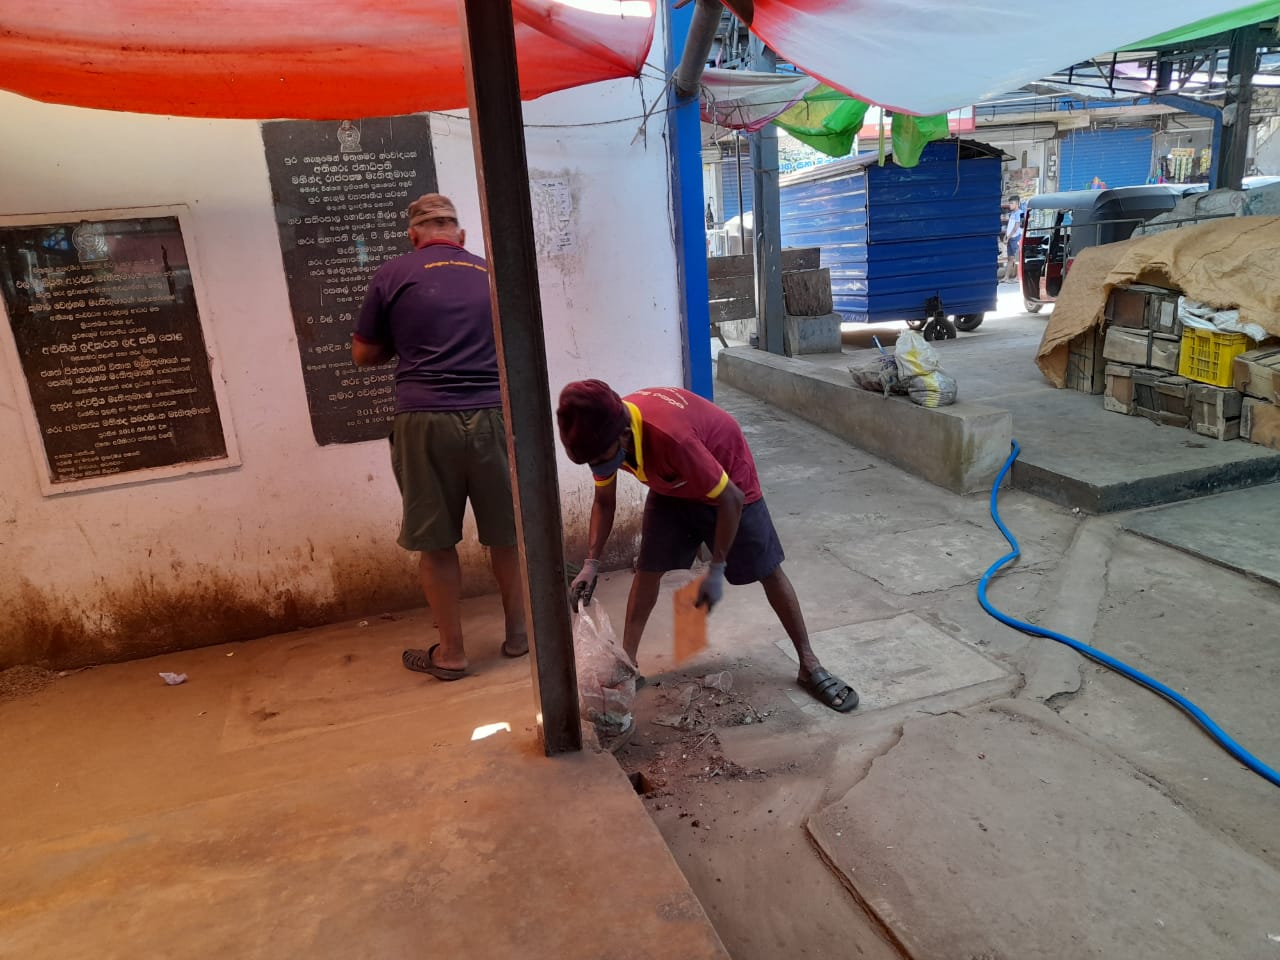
307	797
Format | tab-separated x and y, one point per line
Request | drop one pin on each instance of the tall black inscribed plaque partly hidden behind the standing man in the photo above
341	193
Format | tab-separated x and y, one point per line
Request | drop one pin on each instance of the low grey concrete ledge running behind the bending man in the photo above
961	447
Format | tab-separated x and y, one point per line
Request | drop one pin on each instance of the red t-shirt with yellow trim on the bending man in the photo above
685	446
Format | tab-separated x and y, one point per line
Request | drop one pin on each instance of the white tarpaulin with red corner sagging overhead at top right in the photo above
930	57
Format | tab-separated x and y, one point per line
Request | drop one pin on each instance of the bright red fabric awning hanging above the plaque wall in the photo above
300	60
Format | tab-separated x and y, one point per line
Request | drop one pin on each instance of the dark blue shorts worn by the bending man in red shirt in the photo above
674	529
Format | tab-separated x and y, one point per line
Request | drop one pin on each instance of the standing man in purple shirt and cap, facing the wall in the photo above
431	309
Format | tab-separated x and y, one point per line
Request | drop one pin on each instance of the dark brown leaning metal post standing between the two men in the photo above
499	138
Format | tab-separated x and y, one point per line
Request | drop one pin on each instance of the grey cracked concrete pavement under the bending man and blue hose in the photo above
867	545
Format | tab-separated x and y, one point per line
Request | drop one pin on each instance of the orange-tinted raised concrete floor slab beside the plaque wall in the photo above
304	796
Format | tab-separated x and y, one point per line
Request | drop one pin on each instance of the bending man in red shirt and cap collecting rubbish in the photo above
703	490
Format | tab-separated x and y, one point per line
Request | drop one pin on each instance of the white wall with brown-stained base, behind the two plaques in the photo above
299	534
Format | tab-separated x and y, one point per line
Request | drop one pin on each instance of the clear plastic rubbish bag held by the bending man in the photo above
606	675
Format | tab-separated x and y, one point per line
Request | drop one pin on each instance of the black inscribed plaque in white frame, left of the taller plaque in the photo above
106	321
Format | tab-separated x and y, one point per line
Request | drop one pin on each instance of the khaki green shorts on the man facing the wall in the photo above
444	459
